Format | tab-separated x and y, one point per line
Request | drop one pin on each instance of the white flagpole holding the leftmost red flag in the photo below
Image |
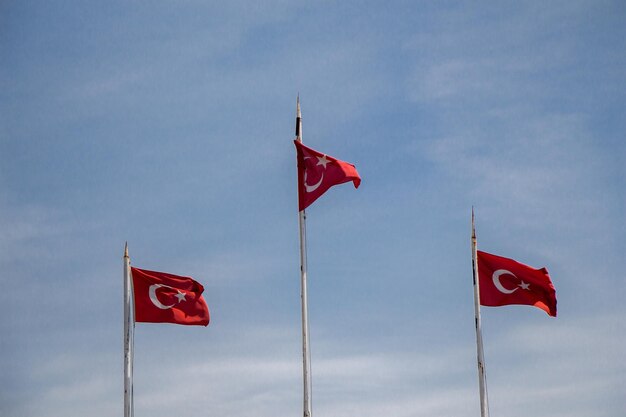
128	338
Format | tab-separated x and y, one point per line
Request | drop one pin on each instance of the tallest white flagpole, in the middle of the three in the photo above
306	353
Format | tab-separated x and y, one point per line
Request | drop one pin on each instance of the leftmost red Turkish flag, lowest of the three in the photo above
165	298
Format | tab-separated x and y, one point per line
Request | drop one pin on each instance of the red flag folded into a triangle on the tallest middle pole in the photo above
318	172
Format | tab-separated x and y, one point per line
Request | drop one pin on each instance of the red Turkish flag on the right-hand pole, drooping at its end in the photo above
504	281
